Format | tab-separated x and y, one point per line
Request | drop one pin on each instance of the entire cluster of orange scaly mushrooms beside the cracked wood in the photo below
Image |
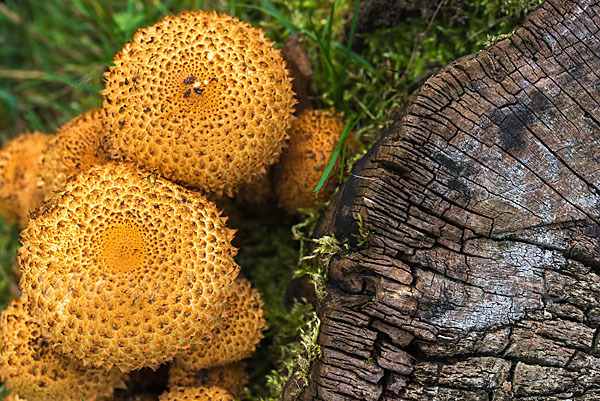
125	262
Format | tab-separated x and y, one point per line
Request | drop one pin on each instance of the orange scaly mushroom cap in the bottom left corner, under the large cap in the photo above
32	368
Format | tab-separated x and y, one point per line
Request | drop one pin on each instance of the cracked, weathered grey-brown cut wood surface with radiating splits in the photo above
481	276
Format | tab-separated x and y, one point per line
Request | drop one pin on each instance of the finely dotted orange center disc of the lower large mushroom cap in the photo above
123	247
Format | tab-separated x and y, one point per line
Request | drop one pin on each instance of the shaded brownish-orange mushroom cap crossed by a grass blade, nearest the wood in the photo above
313	138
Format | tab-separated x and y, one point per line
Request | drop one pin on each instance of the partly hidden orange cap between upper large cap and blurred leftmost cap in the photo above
76	147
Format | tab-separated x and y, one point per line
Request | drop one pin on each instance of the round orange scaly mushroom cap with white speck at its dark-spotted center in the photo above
202	97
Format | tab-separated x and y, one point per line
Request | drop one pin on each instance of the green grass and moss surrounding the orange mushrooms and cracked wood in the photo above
53	54
